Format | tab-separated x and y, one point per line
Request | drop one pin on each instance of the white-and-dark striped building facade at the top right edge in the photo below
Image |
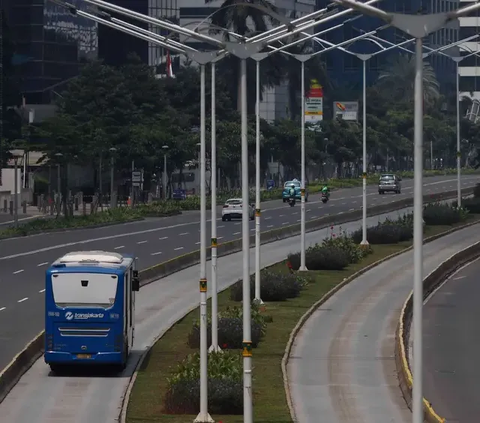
469	68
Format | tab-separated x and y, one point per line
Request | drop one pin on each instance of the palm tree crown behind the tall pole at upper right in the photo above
398	80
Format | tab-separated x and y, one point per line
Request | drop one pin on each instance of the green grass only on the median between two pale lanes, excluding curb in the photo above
147	401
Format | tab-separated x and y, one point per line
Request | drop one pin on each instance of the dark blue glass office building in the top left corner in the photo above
51	45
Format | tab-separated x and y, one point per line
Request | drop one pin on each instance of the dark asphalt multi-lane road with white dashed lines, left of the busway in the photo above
23	260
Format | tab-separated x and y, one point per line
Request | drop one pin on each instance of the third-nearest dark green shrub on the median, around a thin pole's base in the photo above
274	286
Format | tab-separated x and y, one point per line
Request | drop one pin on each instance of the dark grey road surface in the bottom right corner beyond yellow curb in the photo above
451	366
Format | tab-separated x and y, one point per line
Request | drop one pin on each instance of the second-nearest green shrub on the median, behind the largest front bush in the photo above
230	329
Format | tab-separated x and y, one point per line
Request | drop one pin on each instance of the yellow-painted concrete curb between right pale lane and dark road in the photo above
430	283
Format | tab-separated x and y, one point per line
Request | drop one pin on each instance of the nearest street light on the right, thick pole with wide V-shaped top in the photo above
418	26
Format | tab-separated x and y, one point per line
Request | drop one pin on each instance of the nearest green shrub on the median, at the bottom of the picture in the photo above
225	385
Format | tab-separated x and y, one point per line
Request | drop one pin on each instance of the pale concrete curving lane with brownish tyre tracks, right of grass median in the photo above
343	363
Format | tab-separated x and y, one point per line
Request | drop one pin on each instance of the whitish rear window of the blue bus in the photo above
84	289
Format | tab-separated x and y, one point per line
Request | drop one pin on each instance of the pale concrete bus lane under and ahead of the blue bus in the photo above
42	398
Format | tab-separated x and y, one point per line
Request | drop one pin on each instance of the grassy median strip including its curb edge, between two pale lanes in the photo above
148	397
